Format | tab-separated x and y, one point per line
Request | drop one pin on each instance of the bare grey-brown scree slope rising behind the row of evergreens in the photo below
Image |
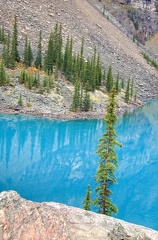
79	18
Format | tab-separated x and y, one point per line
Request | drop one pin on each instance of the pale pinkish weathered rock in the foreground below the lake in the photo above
23	220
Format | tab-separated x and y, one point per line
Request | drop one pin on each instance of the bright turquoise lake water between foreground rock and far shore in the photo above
48	160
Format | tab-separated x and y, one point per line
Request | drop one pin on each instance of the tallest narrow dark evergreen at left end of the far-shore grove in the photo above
14	51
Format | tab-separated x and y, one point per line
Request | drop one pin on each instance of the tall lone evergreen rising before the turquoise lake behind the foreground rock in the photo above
105	174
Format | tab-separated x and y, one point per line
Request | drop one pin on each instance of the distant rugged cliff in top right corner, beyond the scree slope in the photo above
137	18
